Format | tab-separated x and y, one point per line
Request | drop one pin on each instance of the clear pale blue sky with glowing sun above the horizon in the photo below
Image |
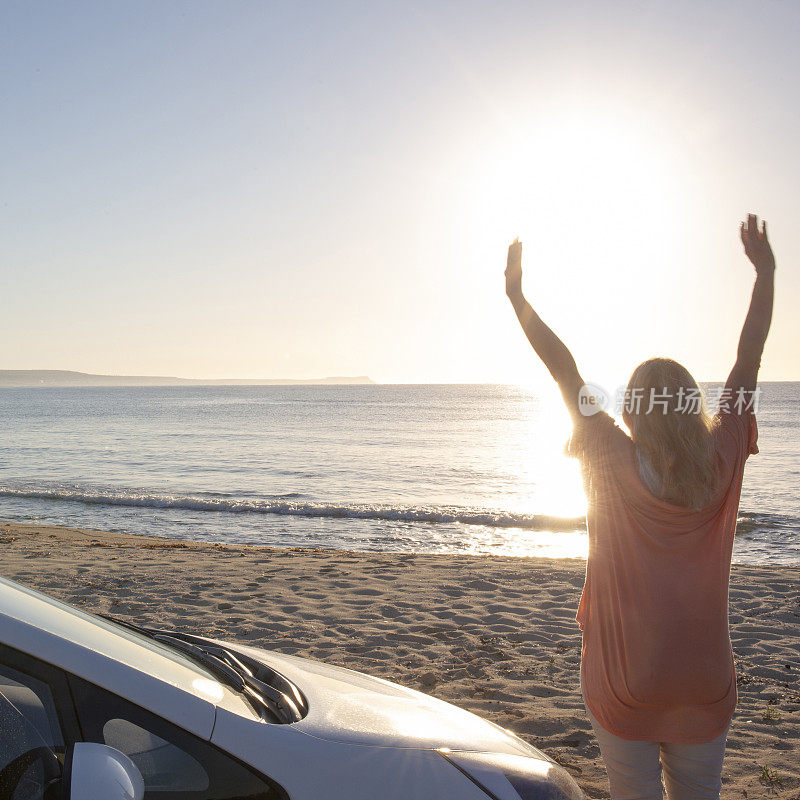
291	189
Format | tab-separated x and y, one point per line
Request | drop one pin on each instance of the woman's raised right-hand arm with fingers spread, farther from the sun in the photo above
744	374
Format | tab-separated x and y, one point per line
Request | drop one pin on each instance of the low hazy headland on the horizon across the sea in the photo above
61	377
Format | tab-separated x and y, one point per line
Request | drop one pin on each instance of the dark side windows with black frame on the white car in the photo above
43	710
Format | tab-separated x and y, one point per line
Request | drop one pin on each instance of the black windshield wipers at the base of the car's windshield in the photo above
271	694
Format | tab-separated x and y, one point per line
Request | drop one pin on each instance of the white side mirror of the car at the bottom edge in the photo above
98	771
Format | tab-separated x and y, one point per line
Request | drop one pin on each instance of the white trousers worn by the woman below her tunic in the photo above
690	771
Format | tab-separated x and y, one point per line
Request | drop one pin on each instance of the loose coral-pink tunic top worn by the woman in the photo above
656	662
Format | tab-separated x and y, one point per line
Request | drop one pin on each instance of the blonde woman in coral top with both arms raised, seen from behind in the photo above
657	670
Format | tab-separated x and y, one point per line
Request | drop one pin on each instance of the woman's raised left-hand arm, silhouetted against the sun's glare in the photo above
553	352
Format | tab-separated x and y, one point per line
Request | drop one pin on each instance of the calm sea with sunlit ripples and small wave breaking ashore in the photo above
473	469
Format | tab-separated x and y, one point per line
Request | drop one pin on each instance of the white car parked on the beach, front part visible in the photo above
92	709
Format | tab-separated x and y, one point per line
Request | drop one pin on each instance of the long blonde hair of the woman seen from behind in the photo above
672	429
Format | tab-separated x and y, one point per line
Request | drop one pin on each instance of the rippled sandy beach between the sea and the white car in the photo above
494	635
